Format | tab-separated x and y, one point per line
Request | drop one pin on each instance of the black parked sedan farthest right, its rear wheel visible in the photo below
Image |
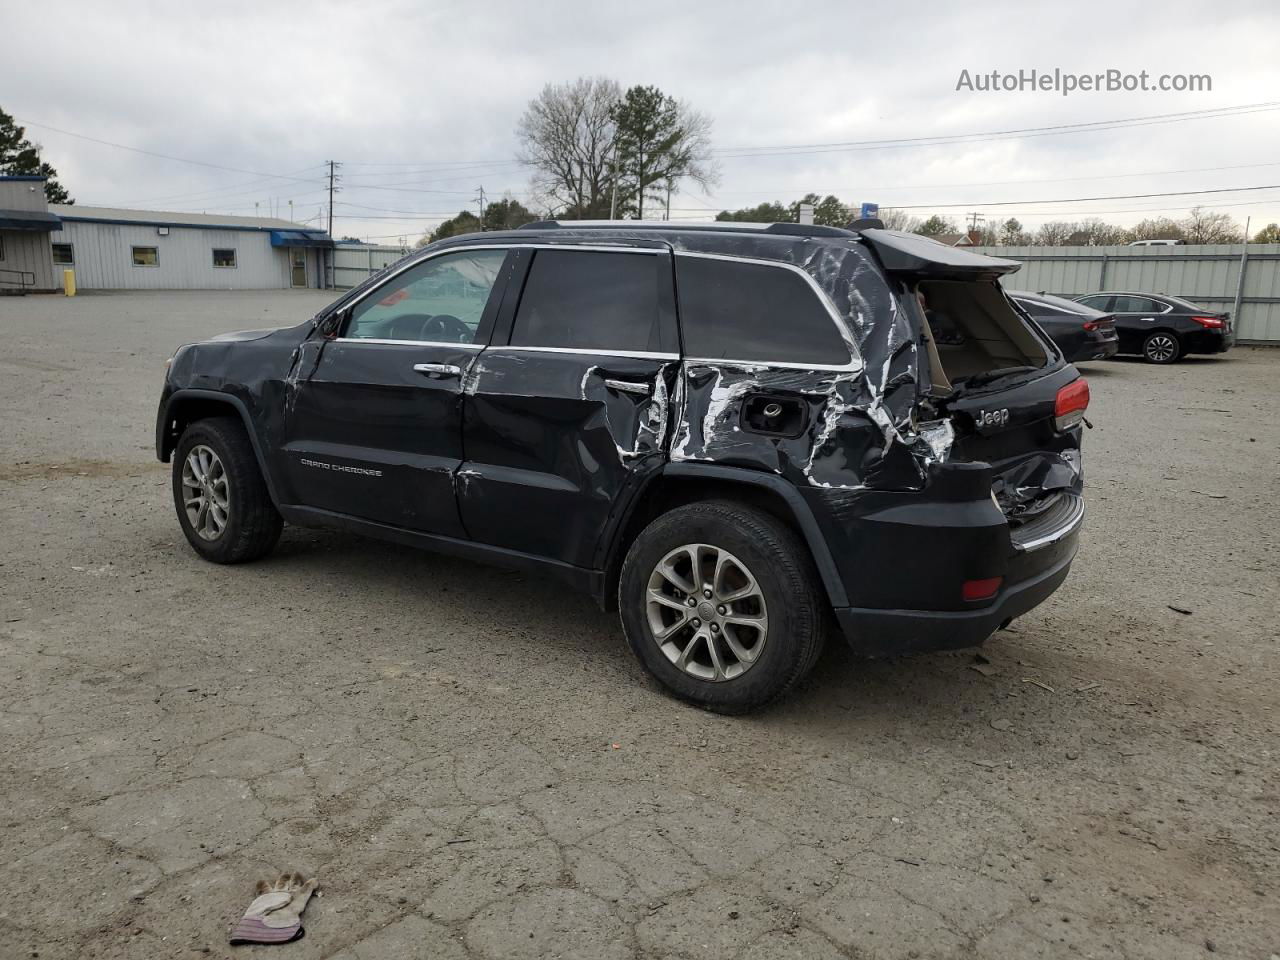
1162	330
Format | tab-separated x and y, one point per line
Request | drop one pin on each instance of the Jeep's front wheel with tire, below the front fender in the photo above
223	505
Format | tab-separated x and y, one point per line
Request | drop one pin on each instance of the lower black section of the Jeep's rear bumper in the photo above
876	633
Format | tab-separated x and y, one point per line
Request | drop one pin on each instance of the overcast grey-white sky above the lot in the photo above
419	103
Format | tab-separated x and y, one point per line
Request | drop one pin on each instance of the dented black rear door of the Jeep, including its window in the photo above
568	413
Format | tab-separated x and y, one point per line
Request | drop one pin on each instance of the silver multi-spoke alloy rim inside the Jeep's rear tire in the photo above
707	612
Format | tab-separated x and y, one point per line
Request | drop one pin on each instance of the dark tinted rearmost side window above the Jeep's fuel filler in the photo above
733	310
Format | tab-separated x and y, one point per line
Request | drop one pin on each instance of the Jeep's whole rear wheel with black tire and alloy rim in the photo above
721	604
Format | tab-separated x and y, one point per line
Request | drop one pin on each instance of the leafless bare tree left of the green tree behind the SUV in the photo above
568	136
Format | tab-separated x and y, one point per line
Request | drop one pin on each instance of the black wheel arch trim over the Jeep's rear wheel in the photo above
679	484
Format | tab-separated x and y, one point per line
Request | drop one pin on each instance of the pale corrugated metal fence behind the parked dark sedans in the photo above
1244	280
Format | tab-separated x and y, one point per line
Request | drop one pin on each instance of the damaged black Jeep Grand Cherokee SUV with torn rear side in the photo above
743	436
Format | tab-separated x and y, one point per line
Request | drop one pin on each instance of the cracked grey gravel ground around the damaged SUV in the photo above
474	767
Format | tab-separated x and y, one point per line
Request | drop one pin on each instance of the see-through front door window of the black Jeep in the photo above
442	300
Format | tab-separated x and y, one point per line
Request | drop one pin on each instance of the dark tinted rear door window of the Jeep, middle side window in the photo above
578	300
